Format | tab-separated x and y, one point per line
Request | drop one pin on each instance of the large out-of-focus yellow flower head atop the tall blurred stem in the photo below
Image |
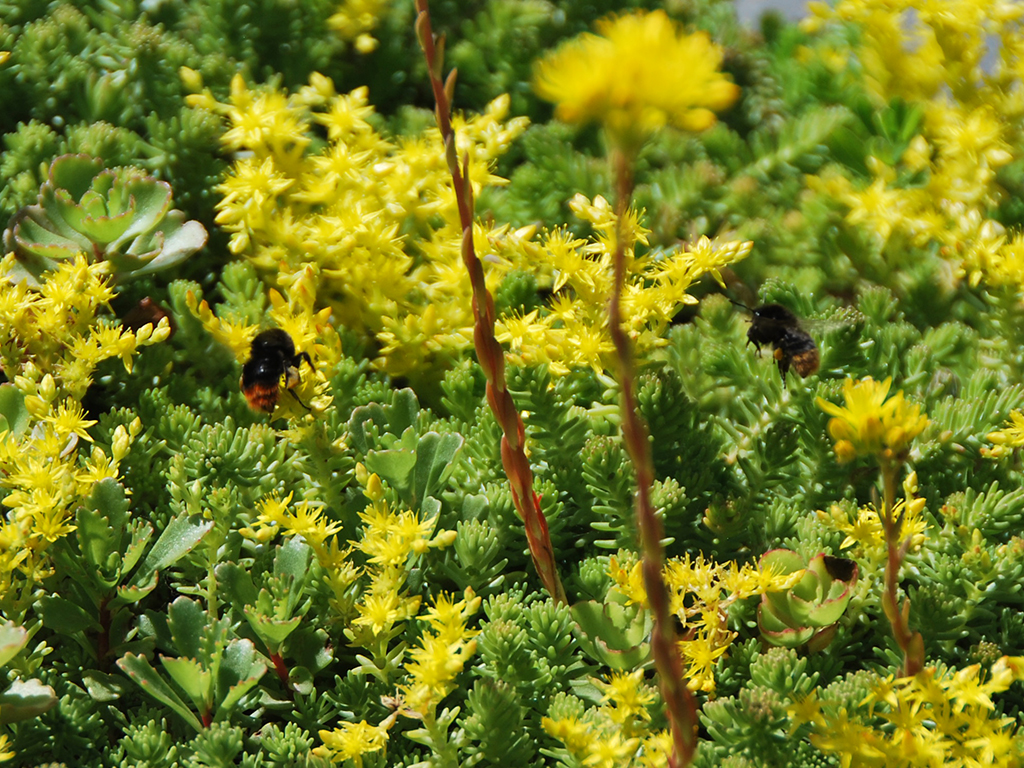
642	73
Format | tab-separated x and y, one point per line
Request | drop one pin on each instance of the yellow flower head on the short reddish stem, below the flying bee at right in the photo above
872	425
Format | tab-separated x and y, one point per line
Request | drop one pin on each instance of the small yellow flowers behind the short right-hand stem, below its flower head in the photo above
867	533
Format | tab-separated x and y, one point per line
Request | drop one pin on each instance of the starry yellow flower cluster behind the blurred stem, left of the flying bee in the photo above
573	331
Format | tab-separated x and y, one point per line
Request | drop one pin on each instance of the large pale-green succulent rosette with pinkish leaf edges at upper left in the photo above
117	216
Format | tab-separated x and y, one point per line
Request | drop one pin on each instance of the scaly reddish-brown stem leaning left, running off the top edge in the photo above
489	352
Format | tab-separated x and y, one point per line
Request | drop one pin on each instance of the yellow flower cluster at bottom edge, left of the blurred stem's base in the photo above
616	734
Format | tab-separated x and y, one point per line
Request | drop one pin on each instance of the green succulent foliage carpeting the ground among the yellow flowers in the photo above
172	630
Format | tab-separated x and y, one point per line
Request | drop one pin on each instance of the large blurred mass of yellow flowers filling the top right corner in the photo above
971	126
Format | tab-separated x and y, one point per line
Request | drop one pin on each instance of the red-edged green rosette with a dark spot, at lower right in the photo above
809	613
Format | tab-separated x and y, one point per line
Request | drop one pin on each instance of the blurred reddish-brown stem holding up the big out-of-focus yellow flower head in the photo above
679	704
